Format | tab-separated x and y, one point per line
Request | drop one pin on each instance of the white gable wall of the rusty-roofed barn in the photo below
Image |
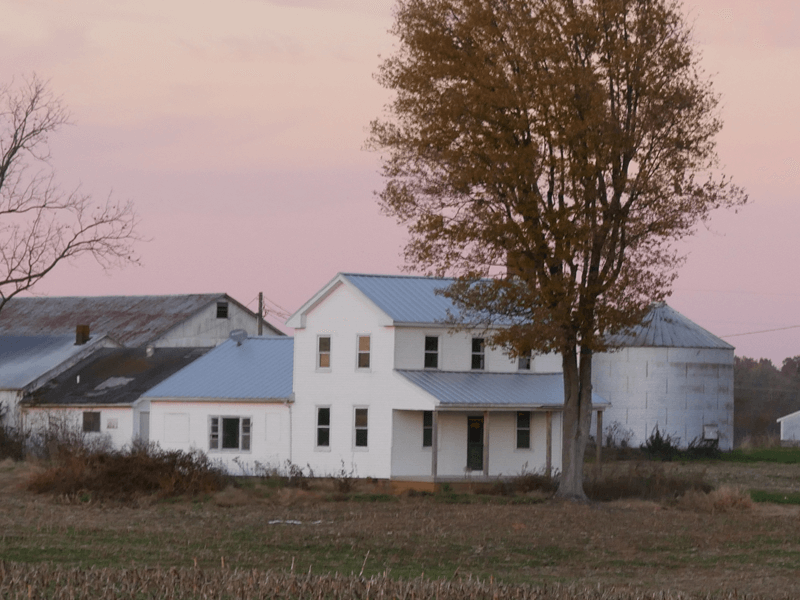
204	329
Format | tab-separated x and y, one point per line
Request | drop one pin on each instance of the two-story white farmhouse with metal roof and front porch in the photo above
386	388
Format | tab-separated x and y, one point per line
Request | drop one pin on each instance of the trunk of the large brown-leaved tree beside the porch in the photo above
577	421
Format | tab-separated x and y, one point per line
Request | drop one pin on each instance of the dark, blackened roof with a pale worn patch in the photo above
113	376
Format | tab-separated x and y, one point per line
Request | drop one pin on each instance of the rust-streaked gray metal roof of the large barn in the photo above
132	320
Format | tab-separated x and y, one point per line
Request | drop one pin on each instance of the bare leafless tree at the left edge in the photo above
41	225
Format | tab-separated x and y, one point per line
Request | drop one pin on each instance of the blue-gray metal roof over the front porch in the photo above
466	388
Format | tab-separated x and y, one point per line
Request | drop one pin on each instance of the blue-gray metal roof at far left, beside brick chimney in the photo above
23	359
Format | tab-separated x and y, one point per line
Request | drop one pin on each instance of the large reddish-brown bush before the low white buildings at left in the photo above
125	474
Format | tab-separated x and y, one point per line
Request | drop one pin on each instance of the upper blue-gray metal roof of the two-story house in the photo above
406	299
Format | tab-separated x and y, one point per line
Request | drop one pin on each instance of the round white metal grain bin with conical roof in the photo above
671	374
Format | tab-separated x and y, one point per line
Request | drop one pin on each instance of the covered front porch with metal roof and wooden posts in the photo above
482	427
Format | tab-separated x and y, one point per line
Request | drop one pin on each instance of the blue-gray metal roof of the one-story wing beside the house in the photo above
259	368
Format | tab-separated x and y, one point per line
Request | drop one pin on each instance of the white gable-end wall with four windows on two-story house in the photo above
344	315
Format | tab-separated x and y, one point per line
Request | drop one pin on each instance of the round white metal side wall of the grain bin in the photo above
677	389
